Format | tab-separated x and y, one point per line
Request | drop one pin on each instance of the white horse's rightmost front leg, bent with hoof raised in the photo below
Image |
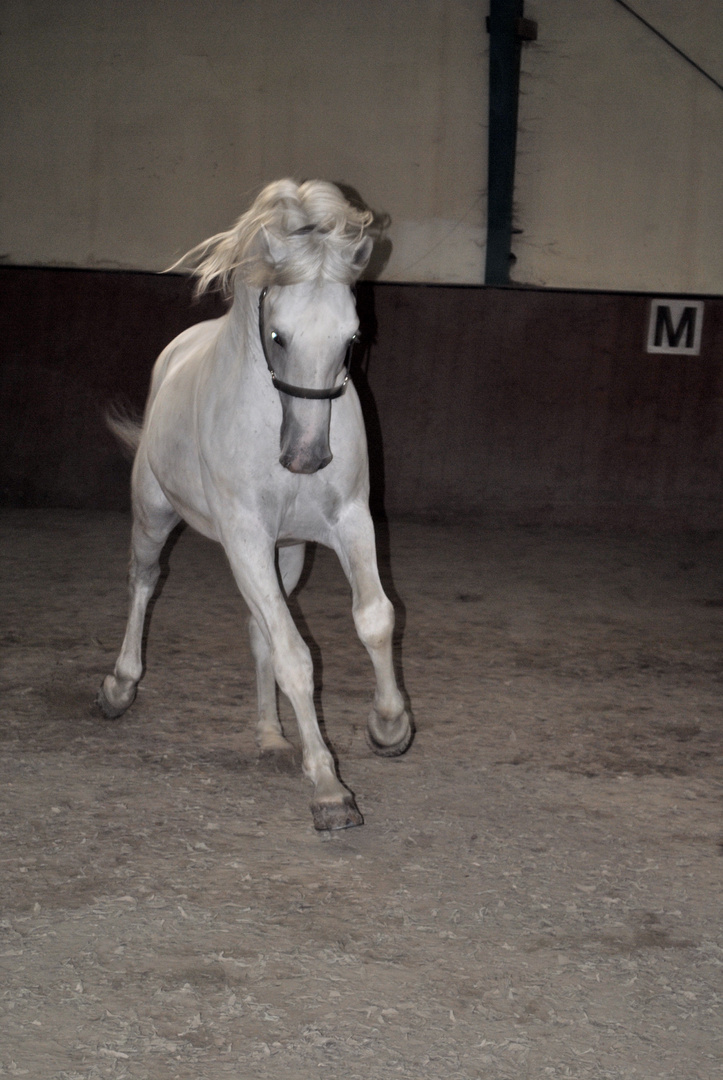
390	727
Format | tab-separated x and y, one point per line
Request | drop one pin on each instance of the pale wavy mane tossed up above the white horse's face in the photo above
292	233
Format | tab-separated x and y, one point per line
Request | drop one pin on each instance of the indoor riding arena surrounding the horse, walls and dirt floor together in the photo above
535	890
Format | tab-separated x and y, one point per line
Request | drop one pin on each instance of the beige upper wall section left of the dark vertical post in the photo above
132	131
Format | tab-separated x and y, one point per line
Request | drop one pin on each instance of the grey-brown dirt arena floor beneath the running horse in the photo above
537	890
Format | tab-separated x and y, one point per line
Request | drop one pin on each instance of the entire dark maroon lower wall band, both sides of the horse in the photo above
527	406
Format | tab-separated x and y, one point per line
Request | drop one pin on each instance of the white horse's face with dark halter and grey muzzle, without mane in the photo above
307	333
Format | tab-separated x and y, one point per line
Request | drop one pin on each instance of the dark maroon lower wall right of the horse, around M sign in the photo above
545	407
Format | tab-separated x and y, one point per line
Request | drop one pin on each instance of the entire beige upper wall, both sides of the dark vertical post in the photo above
132	131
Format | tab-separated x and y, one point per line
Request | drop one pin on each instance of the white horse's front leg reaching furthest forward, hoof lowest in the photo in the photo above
253	564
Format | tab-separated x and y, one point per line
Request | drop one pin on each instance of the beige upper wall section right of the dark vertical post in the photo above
621	148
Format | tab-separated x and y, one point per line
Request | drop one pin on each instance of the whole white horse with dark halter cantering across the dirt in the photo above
255	436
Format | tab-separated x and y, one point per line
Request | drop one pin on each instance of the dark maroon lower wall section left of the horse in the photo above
75	343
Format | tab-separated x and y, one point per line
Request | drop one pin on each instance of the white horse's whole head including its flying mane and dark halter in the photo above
303	247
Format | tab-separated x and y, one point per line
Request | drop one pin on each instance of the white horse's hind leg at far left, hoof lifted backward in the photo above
152	526
